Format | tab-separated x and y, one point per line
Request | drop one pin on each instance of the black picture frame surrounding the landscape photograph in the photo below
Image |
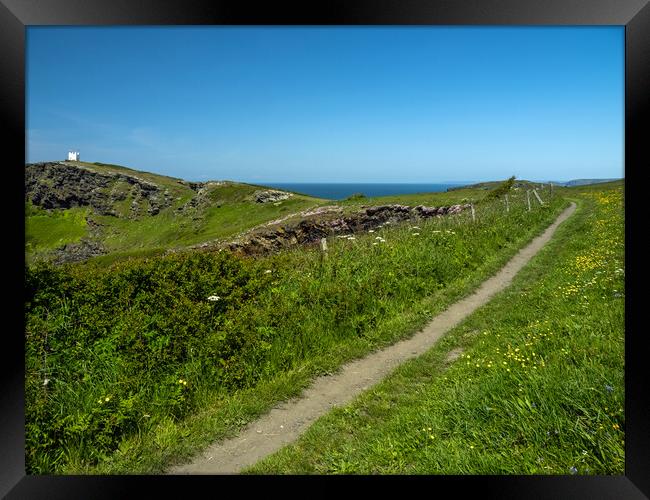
16	15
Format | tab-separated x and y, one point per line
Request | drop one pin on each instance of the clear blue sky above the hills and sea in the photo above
331	104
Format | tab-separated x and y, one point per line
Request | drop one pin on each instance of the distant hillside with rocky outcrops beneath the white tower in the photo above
77	210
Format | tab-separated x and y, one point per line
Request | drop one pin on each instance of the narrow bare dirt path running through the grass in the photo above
284	423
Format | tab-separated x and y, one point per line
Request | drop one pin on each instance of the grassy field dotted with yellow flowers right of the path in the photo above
532	383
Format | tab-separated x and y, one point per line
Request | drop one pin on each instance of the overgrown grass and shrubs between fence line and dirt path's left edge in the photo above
132	367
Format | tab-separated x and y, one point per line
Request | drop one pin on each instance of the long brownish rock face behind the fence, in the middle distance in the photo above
311	231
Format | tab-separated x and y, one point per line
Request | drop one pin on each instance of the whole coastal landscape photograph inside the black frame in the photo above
325	250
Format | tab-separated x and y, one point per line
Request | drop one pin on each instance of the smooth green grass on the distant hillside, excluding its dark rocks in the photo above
228	210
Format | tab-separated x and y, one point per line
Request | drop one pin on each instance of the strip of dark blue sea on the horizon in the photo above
340	191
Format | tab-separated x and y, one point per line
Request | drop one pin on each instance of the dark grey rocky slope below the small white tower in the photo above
57	185
